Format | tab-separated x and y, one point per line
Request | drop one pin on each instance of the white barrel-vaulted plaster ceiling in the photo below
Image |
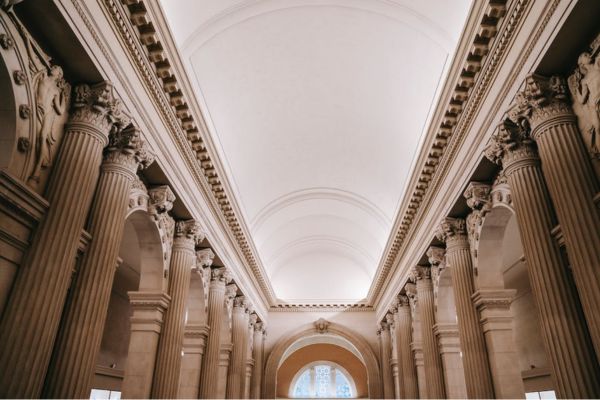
317	108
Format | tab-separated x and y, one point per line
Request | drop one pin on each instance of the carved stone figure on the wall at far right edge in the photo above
584	85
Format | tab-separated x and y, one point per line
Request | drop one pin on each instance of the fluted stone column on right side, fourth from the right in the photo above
433	362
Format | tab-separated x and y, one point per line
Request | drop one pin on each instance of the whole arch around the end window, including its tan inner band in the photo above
315	343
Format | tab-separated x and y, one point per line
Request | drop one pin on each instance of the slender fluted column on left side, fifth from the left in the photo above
237	369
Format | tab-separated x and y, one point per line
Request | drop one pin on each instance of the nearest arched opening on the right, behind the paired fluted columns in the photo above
501	265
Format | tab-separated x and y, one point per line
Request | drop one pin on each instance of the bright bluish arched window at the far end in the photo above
322	379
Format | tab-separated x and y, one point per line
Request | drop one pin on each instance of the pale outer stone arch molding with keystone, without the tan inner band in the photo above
312	335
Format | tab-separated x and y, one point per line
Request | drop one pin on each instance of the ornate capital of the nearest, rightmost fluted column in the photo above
542	100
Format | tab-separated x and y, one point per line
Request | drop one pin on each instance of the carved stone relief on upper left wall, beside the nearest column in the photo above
42	109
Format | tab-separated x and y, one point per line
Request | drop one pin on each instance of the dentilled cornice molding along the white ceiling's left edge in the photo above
155	64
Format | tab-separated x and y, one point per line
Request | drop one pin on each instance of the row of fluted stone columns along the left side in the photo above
52	325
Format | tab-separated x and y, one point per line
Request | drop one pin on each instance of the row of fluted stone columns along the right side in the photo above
551	181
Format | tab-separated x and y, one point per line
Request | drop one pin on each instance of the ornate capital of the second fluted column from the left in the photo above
127	149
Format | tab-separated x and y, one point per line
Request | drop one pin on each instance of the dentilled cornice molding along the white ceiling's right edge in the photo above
443	128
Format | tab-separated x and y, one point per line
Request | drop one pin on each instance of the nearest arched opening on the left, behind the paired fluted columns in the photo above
140	270
